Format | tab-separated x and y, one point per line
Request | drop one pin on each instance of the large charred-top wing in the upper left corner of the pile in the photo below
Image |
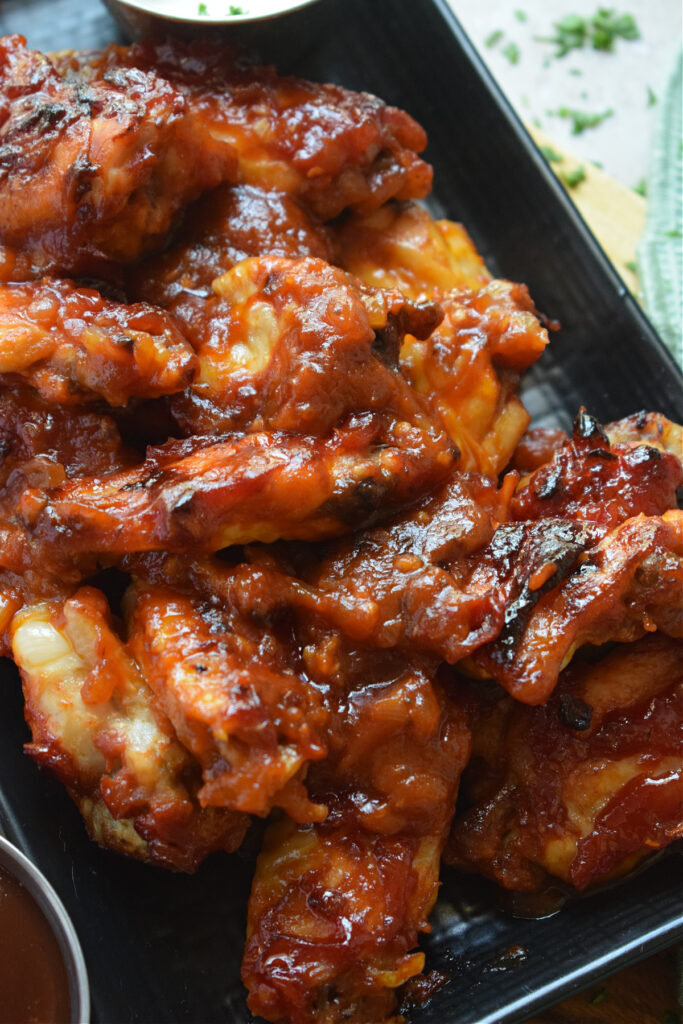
94	173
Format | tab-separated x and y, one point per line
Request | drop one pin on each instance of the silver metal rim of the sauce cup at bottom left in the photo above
26	873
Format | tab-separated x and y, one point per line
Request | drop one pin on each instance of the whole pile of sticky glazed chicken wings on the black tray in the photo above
276	541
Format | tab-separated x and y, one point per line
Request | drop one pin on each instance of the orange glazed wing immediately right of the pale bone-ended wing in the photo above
234	700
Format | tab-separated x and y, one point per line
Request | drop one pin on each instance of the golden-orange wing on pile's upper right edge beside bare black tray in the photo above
468	369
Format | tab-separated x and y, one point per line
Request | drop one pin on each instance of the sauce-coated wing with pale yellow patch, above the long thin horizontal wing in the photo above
297	346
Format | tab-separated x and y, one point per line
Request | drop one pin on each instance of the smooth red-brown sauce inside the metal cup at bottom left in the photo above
34	988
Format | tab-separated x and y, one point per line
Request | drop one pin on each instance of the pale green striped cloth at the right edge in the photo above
661	249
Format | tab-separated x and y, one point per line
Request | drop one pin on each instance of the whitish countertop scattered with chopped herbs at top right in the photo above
626	81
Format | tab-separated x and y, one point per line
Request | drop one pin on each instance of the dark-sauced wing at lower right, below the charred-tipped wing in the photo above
585	787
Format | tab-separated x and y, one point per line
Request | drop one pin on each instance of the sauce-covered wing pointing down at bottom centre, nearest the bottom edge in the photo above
336	908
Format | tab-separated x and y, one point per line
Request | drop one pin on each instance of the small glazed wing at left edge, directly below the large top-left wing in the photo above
72	346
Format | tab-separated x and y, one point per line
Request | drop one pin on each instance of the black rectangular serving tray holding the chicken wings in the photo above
167	949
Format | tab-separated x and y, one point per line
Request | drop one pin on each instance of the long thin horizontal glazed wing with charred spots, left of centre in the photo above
204	494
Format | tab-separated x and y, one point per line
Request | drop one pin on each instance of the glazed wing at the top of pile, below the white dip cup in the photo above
324	145
